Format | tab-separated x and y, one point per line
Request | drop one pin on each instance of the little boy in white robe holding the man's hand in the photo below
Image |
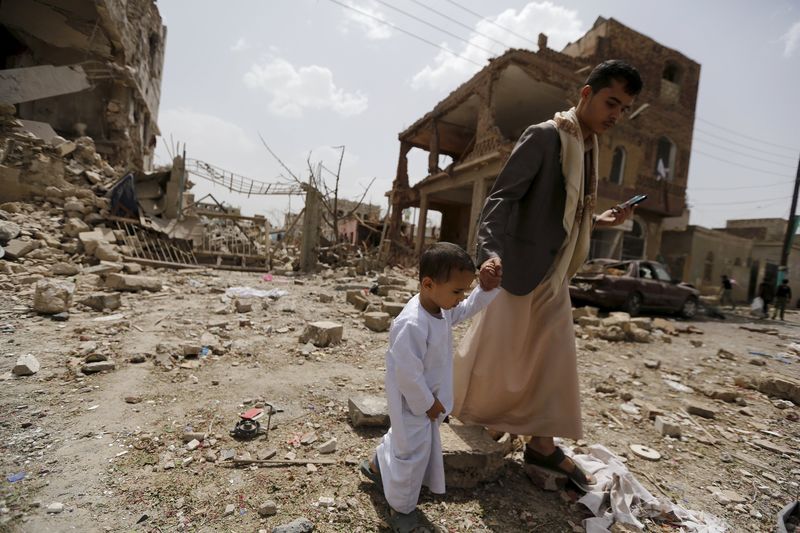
419	378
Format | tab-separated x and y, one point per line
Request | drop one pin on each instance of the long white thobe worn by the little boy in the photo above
419	366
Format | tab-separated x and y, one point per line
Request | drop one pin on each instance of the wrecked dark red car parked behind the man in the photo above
632	286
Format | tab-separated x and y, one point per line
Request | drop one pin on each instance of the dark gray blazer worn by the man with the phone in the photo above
521	221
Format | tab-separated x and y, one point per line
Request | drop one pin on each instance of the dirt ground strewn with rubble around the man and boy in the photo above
79	442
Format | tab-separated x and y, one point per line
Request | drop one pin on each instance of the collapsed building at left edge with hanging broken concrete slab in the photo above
87	68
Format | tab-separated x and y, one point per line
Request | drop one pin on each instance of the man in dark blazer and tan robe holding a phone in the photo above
516	369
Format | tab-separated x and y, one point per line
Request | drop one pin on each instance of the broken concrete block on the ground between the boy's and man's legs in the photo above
471	456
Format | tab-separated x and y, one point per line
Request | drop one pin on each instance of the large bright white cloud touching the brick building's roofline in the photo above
561	26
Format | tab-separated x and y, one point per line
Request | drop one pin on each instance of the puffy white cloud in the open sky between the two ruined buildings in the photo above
292	90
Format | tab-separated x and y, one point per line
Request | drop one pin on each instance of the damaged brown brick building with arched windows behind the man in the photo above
478	124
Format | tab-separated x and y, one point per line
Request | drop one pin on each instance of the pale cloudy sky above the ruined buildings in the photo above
313	75
